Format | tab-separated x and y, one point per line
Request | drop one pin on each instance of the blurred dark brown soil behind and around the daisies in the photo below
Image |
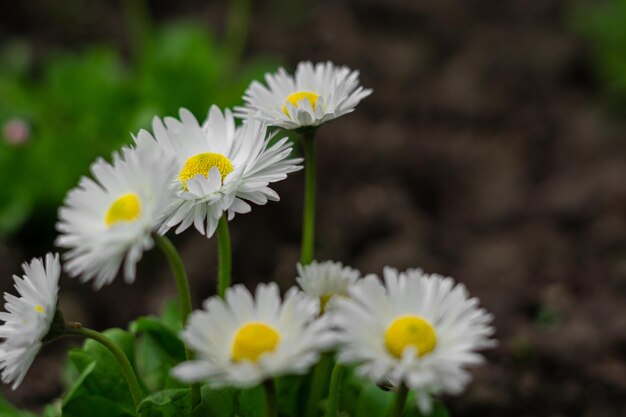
484	153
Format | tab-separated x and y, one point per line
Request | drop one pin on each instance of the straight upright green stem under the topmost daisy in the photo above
308	214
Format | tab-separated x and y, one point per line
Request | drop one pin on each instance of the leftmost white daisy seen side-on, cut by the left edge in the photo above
28	317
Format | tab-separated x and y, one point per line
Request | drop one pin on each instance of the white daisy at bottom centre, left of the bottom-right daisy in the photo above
241	341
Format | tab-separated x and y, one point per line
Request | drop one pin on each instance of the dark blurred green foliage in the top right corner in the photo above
602	25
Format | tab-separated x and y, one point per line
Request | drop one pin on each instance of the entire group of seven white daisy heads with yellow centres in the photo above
408	330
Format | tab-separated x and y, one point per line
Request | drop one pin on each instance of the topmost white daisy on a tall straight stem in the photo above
315	95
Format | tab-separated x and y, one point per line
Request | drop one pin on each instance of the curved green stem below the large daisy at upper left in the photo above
184	296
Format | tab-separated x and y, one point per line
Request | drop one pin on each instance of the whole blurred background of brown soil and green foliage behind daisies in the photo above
493	150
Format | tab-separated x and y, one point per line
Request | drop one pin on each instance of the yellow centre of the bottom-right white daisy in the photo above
410	331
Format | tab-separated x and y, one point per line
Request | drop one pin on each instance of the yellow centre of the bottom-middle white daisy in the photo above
253	340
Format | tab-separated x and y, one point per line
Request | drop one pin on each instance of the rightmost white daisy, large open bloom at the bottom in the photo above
418	330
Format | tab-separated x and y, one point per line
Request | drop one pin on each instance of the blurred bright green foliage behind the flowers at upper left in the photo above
83	105
